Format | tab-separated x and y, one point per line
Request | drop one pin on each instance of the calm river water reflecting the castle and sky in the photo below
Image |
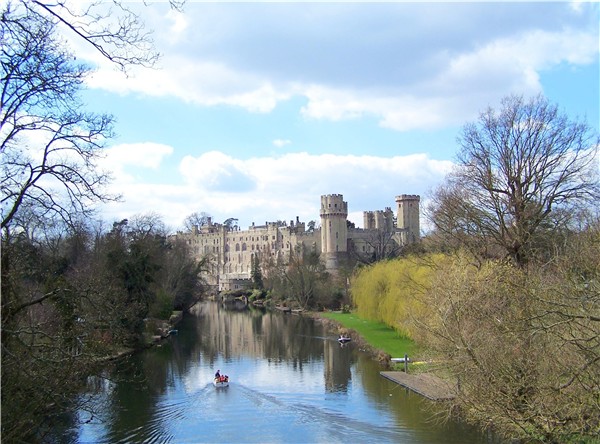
290	382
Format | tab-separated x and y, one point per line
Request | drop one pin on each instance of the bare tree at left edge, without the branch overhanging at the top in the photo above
49	146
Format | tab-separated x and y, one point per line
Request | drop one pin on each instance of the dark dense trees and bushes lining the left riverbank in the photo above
74	298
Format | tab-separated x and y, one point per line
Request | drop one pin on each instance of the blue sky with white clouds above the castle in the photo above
255	110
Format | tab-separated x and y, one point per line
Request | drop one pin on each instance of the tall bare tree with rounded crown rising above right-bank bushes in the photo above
517	169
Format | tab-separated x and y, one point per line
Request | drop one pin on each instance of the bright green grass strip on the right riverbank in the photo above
377	334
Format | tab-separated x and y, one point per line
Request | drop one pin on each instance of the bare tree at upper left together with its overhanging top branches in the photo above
50	146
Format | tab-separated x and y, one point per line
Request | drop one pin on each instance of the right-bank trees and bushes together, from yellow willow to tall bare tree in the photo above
505	295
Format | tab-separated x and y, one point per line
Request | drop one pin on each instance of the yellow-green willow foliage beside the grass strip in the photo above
390	291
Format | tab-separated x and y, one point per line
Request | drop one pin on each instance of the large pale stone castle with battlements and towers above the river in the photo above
232	250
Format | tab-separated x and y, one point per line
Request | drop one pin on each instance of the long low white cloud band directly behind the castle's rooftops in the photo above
265	189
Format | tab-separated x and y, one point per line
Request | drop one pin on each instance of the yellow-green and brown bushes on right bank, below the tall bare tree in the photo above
524	347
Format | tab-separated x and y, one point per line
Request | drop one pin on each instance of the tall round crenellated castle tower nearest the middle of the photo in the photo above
334	228
